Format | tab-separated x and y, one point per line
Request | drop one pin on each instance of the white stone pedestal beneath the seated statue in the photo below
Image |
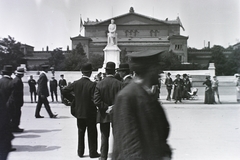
111	54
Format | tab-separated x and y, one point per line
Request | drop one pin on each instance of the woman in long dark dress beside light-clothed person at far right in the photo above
208	91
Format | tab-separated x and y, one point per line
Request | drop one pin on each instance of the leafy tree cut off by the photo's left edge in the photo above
10	52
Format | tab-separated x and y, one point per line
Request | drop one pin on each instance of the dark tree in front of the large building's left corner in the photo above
75	59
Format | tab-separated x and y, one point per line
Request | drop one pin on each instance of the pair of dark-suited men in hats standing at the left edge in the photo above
11	101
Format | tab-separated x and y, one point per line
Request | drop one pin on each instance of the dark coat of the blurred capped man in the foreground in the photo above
140	126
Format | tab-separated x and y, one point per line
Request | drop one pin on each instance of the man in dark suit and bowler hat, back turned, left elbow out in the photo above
85	110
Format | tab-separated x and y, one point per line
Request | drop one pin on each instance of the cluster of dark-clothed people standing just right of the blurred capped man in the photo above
182	87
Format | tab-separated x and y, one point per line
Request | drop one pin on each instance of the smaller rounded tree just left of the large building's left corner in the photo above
57	60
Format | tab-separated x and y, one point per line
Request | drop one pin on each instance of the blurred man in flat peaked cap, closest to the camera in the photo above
140	126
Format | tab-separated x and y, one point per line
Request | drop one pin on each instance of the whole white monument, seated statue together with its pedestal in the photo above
111	51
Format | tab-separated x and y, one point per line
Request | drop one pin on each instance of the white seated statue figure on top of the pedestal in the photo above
112	35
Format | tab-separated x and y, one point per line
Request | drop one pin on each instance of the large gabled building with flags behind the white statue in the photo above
135	32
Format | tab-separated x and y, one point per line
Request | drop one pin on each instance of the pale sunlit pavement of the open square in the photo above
198	131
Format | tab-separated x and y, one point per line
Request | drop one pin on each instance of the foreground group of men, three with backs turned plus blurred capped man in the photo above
140	126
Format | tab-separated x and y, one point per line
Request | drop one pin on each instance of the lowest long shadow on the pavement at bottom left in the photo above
37	148
